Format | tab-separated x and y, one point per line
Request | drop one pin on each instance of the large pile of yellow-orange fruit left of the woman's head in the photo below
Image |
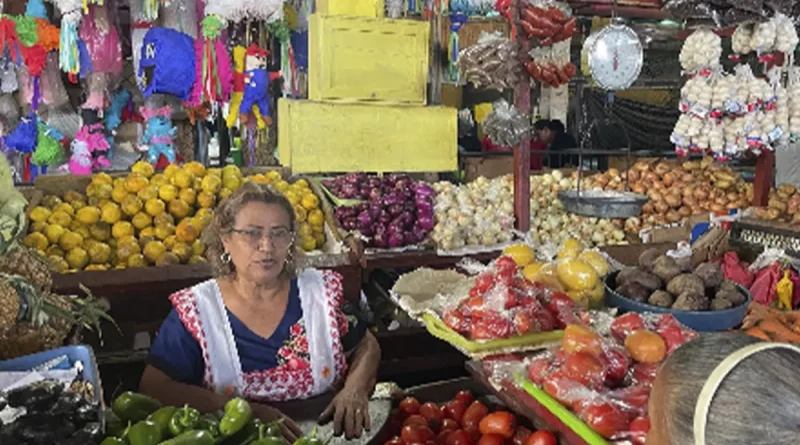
139	220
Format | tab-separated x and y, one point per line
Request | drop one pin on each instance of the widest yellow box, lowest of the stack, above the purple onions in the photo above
316	137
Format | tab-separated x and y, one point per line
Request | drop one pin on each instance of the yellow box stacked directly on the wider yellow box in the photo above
355	59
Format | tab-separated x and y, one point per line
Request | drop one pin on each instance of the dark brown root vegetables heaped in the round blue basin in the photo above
660	280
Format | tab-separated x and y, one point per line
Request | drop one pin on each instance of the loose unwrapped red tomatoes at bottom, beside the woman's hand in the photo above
461	421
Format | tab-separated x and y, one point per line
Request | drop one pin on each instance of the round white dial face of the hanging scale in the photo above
615	57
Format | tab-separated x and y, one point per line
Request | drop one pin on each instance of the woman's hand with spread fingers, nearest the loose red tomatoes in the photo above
350	412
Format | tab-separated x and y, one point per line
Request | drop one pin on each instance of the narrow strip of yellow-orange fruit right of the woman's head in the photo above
307	212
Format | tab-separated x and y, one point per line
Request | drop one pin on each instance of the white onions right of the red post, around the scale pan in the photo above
551	224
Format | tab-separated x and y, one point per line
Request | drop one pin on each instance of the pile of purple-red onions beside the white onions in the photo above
398	211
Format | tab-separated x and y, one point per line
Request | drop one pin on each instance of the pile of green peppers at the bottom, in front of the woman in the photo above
140	420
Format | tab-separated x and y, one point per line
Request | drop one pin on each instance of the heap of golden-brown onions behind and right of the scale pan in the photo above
676	190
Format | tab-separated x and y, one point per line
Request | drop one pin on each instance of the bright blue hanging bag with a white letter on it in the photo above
167	64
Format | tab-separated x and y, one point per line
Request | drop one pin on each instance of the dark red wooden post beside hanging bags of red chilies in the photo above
522	154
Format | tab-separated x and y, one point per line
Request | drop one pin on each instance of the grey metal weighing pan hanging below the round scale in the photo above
603	204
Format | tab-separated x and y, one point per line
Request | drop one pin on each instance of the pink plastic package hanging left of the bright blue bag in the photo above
102	41
